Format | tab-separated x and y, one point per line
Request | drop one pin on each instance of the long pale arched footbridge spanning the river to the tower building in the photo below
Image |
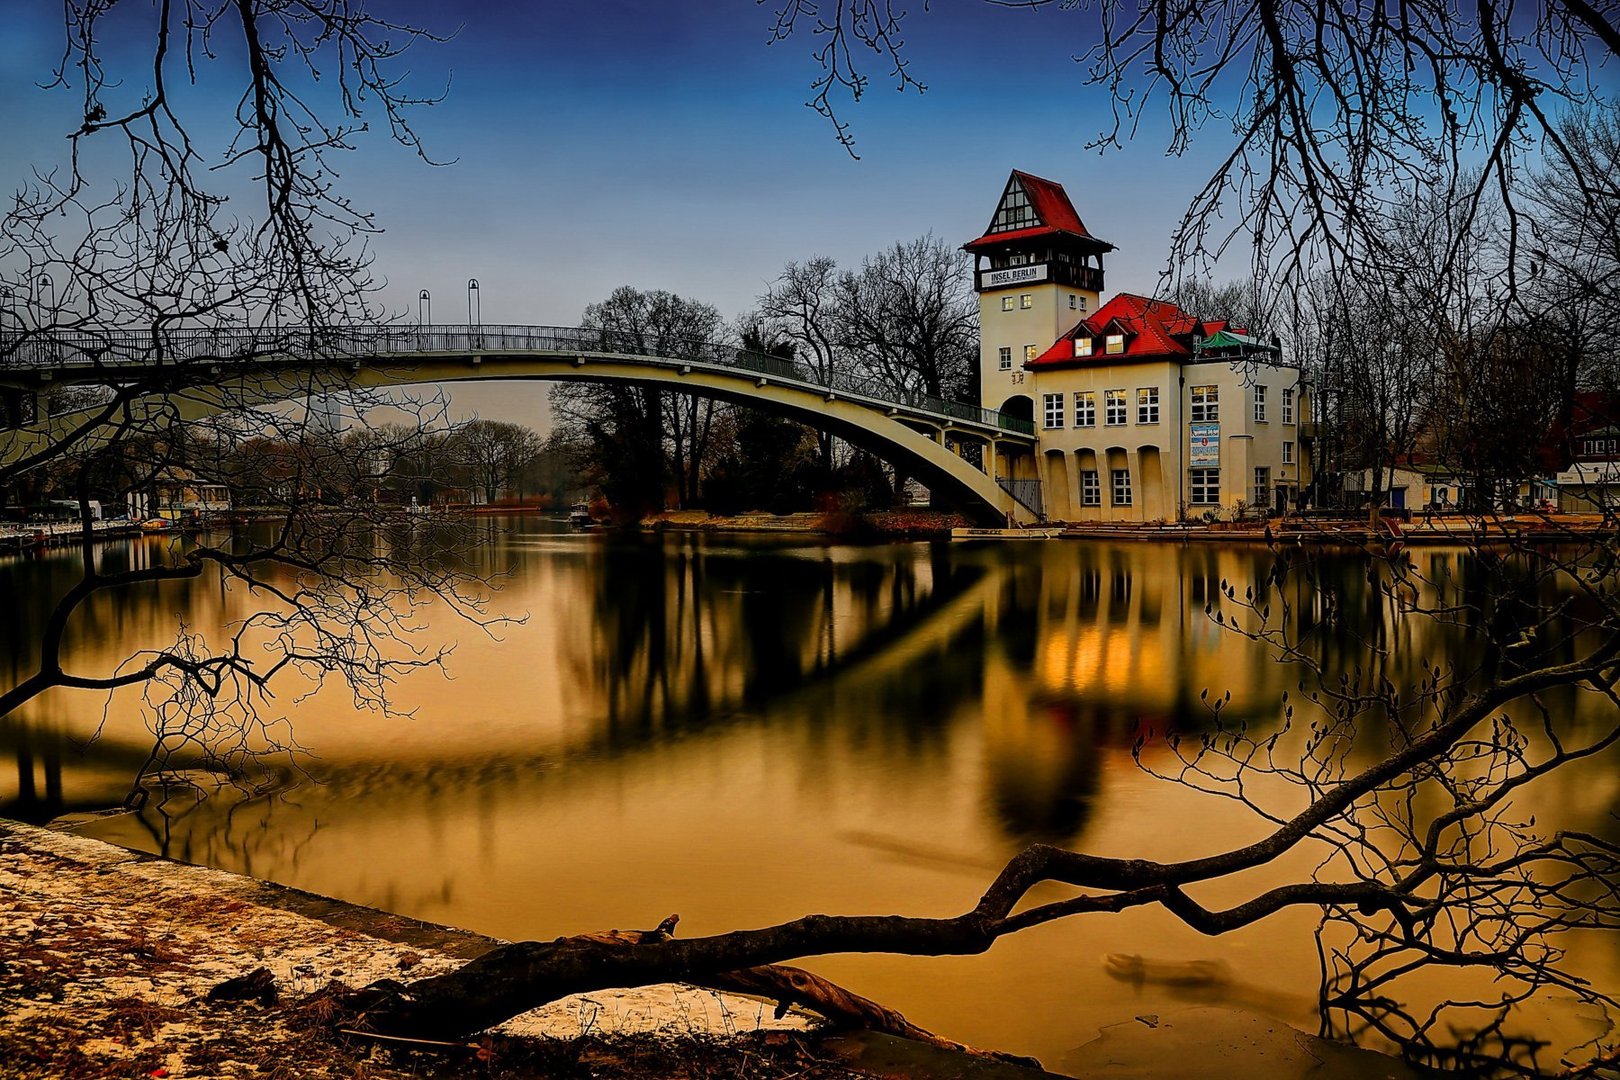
207	372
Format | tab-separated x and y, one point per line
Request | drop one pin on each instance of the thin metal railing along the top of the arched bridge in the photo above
182	346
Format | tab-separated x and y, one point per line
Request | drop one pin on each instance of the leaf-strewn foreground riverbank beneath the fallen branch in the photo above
119	964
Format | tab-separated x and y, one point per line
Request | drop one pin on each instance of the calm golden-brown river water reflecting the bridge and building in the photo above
751	729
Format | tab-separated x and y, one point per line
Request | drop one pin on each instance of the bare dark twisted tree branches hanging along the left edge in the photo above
177	320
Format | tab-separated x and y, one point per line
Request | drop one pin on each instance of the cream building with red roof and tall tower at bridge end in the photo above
1145	412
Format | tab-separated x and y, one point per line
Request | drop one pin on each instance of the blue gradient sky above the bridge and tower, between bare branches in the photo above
665	145
